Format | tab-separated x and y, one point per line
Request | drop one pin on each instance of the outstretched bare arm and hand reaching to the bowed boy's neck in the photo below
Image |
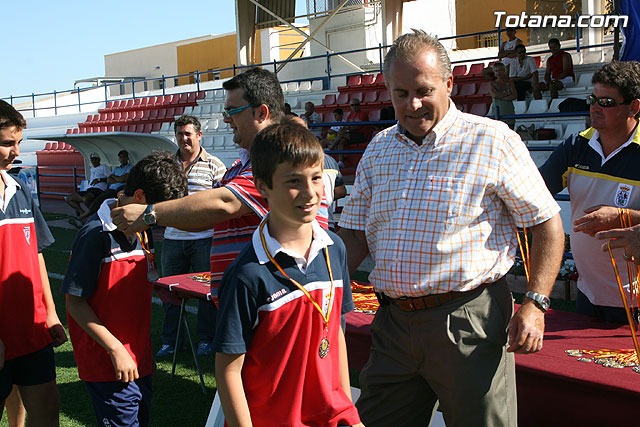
196	212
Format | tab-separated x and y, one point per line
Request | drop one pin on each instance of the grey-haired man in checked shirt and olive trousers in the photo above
436	201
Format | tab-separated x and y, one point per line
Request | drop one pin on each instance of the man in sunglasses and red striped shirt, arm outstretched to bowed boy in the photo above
233	207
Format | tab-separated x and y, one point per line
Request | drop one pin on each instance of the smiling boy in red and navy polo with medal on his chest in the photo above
281	354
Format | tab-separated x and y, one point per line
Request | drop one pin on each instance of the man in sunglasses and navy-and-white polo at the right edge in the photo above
599	167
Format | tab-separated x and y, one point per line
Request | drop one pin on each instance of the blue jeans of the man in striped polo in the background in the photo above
180	257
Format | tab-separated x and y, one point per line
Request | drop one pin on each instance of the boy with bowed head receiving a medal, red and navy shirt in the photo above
109	298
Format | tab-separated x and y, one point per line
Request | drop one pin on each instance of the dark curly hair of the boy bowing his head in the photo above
159	175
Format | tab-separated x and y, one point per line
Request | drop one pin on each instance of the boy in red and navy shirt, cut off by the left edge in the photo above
29	325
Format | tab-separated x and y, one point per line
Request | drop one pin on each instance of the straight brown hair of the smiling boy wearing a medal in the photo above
286	142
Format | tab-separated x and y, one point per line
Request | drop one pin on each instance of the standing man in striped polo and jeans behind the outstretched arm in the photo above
184	251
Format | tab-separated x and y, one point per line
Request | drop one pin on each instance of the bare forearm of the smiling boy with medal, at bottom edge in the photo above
229	384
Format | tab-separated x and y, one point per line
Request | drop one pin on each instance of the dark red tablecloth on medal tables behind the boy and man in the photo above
553	388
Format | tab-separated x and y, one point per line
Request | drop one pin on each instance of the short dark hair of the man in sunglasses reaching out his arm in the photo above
260	87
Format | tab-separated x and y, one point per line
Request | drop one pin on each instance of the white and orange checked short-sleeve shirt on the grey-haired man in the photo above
442	216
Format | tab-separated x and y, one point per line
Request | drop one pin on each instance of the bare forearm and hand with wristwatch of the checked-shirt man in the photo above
526	329
